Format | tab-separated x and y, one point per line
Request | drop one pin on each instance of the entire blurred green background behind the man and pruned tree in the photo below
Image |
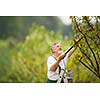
25	46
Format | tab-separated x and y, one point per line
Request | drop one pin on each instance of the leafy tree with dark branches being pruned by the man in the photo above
89	47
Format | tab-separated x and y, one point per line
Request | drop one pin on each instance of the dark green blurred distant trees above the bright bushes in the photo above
18	26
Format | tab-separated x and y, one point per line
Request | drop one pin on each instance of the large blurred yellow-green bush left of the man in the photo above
28	59
